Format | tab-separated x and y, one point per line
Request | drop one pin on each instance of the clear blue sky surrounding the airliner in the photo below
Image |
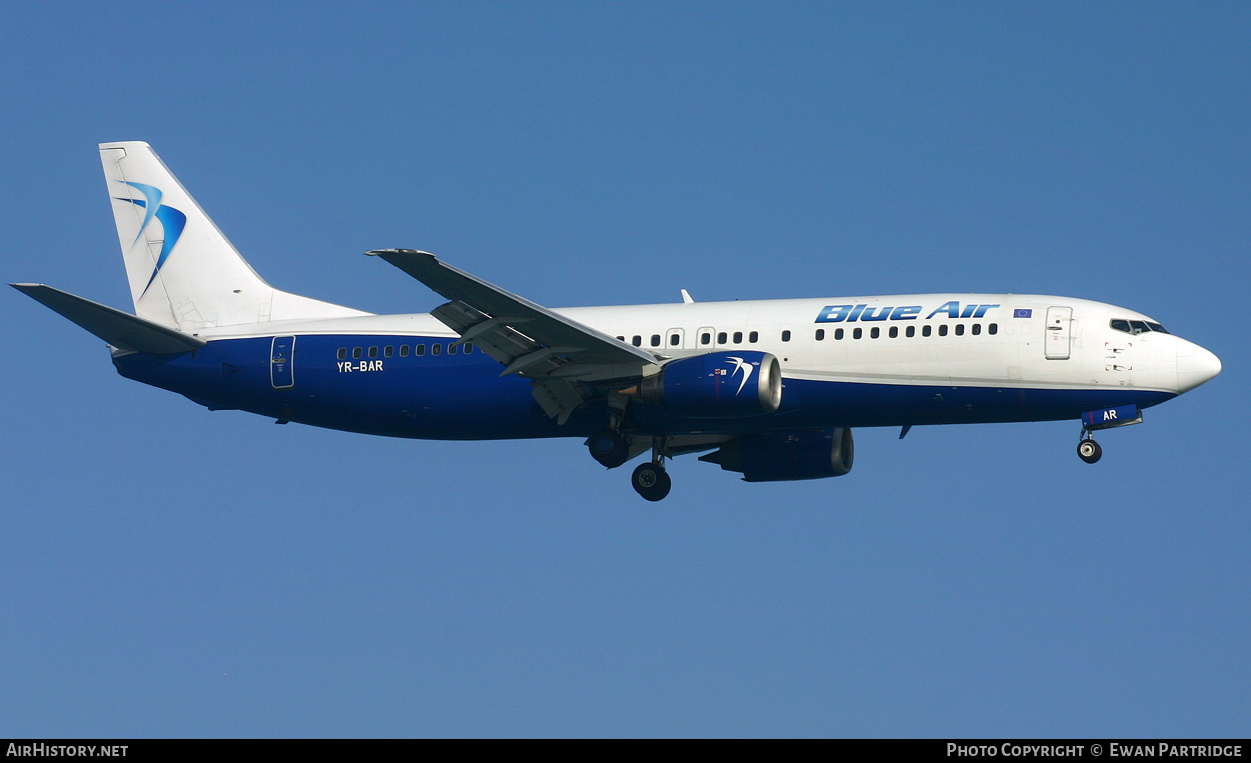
166	571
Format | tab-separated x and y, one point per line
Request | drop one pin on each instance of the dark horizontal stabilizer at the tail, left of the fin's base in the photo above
123	331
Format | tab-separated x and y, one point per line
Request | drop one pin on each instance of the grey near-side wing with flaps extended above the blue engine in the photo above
556	353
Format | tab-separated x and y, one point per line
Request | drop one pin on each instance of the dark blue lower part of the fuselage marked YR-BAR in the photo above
463	397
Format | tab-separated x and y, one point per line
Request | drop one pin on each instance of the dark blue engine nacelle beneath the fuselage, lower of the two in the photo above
785	456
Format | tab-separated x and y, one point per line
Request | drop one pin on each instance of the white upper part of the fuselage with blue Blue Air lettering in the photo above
1008	347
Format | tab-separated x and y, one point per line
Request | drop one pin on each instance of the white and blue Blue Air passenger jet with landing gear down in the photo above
770	390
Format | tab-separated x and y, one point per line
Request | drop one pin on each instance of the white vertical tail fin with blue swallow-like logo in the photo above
183	272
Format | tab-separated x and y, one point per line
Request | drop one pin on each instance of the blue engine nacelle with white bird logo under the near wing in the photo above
722	385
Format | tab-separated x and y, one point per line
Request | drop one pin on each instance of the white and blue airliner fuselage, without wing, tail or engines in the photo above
928	366
